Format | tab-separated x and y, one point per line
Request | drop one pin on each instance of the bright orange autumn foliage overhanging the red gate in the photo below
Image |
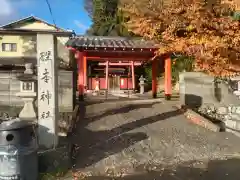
203	29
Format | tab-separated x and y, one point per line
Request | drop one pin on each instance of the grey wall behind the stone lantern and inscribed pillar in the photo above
10	85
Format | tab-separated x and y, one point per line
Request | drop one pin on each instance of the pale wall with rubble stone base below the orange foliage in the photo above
215	100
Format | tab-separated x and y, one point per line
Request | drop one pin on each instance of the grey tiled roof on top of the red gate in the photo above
107	42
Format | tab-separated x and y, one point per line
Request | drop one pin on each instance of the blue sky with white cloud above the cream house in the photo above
68	14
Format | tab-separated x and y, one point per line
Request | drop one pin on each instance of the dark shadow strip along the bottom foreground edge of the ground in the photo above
215	169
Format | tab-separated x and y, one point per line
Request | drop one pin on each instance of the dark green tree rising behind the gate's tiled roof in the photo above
107	19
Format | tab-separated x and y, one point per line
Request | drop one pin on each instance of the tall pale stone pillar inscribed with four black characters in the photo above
47	90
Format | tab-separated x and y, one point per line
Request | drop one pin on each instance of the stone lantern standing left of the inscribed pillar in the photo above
27	93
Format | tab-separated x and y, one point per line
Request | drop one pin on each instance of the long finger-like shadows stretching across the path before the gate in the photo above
91	147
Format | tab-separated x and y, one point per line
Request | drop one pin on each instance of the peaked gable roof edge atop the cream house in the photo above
28	19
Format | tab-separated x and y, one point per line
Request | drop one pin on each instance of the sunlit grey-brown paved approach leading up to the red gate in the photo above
151	141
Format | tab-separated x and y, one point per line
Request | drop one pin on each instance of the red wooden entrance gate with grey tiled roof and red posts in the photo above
109	49
